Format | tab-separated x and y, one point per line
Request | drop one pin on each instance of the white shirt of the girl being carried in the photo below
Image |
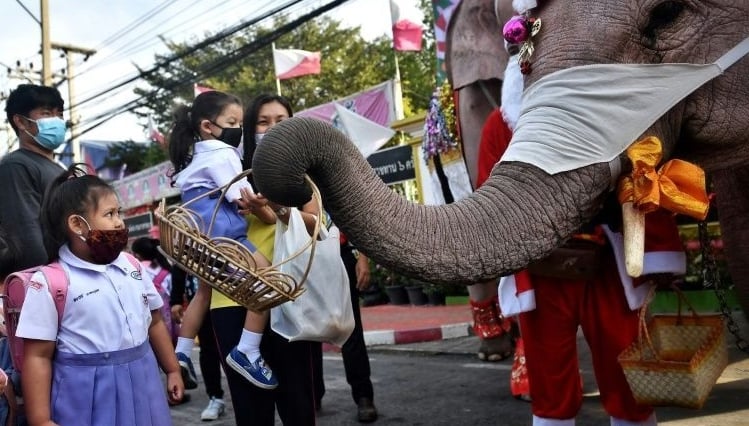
214	164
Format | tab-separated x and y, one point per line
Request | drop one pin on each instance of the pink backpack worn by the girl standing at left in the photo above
15	293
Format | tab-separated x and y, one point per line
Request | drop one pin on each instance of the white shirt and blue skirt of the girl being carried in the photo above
214	164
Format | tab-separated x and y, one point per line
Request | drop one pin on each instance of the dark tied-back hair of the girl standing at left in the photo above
72	192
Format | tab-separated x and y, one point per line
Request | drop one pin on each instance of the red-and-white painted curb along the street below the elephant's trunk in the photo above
399	337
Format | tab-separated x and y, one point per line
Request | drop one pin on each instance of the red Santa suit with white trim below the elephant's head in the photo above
606	308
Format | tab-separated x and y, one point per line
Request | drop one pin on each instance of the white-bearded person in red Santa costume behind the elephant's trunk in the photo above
604	305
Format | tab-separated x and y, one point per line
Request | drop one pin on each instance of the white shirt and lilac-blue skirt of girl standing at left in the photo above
104	370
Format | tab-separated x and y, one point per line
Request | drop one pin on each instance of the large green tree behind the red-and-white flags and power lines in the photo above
349	64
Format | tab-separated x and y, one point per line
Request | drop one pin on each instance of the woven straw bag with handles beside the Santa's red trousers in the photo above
676	359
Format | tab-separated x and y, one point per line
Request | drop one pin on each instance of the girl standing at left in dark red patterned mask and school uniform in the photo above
98	366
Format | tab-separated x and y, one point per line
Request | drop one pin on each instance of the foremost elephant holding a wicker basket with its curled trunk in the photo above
523	211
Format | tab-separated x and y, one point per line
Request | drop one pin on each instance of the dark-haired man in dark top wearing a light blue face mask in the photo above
35	114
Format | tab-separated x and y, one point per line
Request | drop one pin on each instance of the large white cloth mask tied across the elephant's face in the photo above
591	114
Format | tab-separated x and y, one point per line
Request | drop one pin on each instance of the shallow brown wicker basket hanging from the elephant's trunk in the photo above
224	264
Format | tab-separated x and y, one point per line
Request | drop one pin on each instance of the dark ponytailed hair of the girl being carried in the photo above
186	128
